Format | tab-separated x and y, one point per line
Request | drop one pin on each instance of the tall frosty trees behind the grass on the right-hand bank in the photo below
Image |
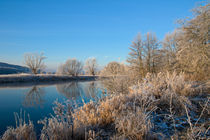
186	49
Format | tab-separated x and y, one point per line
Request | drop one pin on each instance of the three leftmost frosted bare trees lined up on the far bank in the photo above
72	67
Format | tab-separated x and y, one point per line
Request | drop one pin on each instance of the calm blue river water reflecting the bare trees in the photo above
38	100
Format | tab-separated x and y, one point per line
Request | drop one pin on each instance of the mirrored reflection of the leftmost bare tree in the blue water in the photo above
34	97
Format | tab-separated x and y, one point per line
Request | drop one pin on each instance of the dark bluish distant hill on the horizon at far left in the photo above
6	68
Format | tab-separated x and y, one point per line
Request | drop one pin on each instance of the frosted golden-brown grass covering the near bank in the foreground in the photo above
161	106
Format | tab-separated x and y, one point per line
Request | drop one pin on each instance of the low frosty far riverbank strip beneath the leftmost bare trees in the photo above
30	78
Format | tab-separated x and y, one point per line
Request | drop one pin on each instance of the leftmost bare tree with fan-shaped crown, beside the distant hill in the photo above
35	62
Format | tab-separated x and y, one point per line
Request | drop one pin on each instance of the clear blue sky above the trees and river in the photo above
80	29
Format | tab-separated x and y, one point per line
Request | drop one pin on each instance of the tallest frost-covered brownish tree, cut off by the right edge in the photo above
193	53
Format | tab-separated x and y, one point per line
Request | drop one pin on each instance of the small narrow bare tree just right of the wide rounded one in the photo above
91	66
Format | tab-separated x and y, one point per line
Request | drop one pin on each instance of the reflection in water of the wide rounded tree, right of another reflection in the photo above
70	90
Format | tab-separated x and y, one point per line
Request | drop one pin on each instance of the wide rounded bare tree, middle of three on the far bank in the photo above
72	67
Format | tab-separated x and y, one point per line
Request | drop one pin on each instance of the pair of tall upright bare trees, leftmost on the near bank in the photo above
143	55
